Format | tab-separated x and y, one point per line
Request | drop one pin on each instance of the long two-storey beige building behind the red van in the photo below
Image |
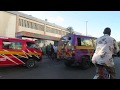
20	25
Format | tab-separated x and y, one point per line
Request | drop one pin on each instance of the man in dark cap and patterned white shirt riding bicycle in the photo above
106	46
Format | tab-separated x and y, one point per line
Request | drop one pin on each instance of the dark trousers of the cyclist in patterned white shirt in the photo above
100	71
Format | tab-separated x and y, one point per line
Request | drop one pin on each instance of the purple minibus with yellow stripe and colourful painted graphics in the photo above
76	50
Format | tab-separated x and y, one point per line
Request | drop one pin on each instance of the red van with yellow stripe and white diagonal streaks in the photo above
14	51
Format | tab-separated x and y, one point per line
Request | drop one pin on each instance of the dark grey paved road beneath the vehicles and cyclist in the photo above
48	69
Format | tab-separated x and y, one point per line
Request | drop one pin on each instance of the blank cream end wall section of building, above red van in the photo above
7	24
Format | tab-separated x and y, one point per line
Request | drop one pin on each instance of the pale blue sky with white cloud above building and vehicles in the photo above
97	21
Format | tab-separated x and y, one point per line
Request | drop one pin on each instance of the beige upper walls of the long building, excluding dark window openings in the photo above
8	26
